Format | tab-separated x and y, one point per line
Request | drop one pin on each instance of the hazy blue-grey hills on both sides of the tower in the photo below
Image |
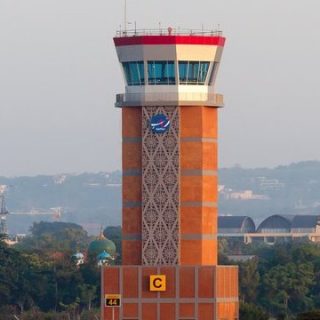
94	199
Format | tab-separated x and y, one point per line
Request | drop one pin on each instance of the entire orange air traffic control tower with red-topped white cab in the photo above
169	111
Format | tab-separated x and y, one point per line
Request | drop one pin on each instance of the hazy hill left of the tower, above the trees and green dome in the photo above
90	199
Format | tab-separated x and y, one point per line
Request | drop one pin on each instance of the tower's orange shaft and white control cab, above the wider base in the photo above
170	176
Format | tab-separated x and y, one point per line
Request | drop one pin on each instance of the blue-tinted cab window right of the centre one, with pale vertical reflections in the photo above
193	72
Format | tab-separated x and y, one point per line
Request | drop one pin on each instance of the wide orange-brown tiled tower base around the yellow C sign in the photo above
192	293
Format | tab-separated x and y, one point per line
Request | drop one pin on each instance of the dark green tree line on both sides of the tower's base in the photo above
39	280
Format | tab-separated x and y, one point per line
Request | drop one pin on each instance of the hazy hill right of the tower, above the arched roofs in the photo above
292	189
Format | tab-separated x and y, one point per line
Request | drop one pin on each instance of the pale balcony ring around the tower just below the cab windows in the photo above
169	99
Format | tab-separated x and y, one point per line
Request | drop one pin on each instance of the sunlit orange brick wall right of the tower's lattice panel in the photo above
199	185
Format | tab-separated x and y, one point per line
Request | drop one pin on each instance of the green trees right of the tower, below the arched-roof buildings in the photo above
277	282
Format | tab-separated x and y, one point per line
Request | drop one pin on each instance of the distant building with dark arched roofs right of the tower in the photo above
273	228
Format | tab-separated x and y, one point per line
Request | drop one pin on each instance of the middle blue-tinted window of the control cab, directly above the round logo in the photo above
161	72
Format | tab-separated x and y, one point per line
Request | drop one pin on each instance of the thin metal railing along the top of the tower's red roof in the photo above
167	32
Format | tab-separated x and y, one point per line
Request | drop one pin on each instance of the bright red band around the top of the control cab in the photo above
165	40
